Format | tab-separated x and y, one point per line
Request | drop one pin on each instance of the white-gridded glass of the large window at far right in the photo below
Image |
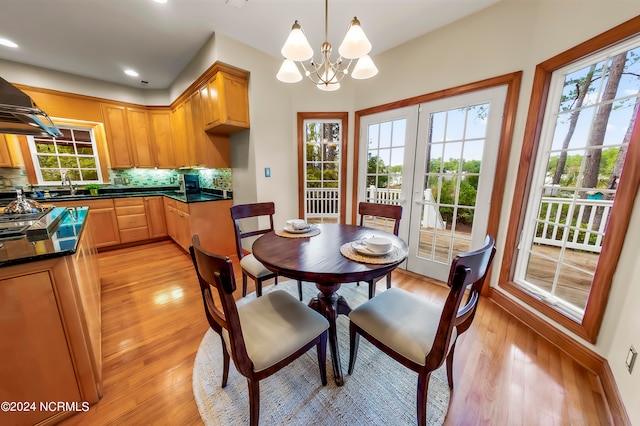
578	167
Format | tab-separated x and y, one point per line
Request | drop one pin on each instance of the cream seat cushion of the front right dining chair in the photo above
402	322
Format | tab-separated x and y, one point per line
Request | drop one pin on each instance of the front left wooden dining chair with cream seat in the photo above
262	336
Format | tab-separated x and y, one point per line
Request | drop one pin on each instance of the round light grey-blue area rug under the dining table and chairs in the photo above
379	392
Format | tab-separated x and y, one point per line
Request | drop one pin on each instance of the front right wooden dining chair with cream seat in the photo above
419	334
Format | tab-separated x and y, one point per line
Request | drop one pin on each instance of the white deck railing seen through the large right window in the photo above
581	223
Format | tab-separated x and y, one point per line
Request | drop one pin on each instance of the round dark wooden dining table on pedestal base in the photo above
318	259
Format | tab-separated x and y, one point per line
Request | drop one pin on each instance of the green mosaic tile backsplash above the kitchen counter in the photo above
11	178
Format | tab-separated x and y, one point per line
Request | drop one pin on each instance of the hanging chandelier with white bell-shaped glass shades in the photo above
326	75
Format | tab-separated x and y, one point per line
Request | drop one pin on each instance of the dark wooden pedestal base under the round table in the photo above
330	304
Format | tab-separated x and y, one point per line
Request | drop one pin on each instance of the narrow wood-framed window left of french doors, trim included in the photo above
321	166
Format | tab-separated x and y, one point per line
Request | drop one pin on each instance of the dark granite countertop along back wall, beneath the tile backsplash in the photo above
204	195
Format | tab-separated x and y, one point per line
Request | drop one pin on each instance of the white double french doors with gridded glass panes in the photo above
438	161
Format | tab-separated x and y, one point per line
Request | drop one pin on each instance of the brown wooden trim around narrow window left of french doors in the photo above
343	117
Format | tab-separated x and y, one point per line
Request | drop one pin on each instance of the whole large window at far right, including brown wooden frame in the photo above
567	240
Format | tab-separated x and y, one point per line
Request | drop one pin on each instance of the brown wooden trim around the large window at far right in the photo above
621	210
